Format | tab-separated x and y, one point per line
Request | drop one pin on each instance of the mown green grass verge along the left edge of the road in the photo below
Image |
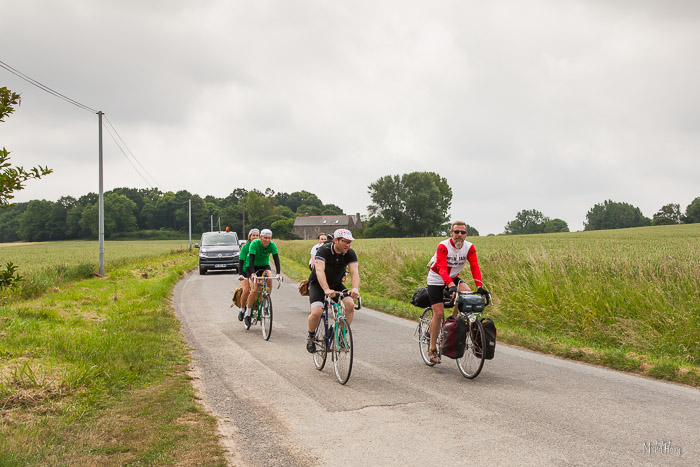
95	373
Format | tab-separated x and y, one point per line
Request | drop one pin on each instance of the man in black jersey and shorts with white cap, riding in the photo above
326	278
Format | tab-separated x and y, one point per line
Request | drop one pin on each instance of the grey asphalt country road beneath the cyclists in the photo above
275	408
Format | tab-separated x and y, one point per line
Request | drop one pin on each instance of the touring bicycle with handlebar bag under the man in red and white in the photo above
470	306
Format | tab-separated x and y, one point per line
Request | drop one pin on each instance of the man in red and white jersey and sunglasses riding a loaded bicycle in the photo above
450	258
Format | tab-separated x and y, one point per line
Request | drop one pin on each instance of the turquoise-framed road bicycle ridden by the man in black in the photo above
335	337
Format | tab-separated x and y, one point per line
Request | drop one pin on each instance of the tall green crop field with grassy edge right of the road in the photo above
629	299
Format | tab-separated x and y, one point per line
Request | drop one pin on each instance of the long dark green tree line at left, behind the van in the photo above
150	213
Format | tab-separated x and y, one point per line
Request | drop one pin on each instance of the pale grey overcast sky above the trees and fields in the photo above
523	104
